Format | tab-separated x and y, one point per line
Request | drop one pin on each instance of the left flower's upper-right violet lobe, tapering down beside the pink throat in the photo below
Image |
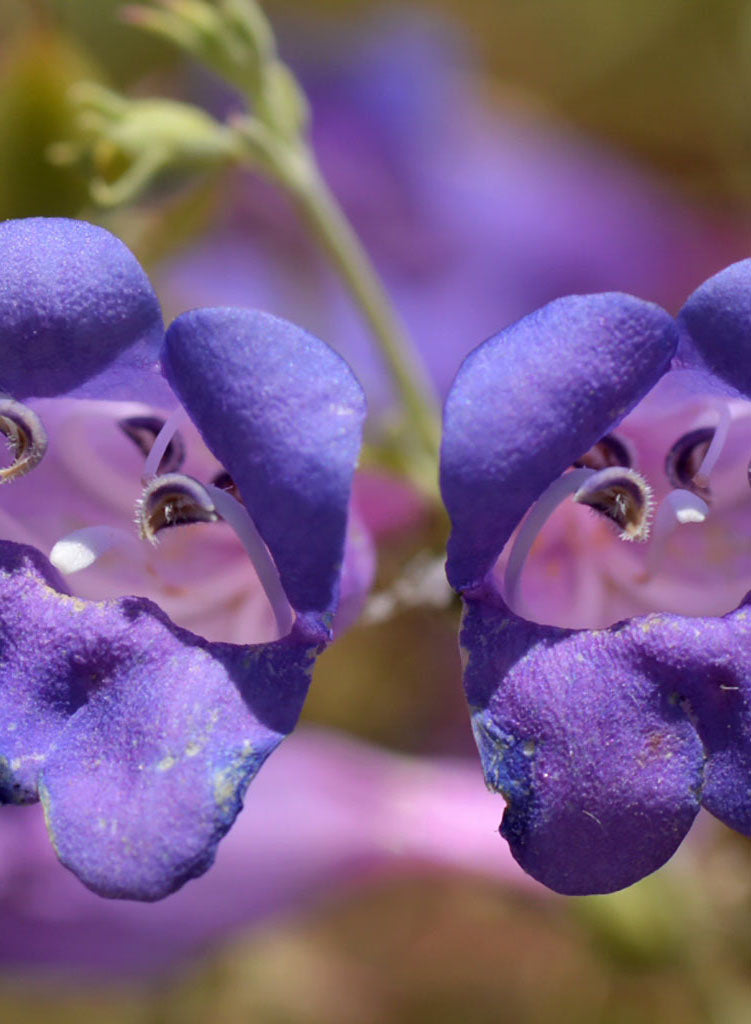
283	413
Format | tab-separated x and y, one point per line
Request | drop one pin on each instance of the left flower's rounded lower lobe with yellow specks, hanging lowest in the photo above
150	776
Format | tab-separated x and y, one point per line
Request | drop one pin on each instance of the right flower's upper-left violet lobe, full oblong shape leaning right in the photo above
531	401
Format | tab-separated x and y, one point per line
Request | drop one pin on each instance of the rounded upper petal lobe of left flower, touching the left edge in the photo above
78	315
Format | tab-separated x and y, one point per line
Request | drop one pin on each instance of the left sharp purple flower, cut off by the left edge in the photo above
140	737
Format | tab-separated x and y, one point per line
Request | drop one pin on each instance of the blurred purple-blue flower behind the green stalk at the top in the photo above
473	217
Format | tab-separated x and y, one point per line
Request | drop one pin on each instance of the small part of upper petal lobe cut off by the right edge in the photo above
716	324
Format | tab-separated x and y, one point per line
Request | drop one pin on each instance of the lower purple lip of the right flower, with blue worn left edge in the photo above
606	743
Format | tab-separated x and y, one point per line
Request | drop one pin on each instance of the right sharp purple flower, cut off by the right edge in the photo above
605	743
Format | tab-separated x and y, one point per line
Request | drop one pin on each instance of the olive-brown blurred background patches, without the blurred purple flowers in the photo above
669	87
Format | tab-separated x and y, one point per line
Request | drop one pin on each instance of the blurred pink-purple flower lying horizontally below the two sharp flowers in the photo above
361	813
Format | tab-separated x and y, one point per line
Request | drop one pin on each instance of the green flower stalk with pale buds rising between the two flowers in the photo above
235	40
